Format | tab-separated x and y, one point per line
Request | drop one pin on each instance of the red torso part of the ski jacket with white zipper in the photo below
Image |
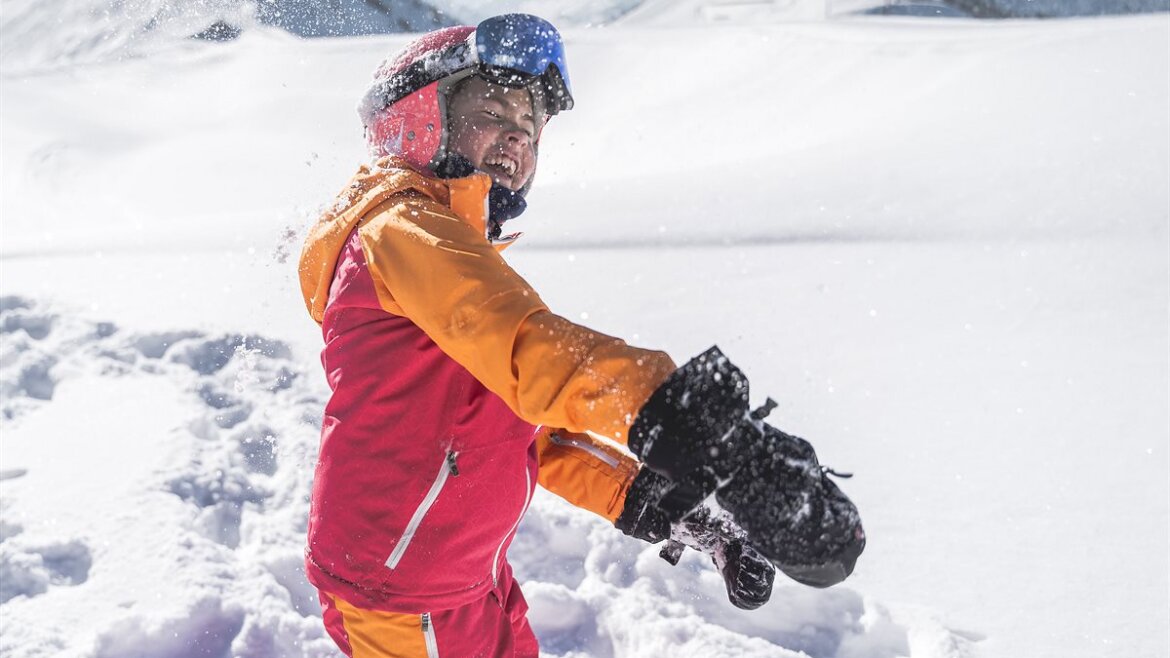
416	497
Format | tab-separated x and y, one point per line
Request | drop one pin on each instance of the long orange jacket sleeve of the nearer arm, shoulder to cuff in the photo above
444	276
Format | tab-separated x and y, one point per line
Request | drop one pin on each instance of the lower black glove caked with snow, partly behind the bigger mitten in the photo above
747	574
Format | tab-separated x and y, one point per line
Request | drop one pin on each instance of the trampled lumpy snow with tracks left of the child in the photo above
160	510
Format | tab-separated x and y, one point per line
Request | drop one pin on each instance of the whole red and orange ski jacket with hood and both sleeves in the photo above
443	360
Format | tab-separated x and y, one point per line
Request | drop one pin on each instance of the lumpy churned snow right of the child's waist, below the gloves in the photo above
596	593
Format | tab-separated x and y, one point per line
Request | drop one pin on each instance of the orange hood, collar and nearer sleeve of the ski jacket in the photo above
426	248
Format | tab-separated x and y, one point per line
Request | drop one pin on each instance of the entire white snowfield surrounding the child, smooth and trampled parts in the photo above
941	245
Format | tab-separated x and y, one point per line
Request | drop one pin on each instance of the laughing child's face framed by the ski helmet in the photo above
495	128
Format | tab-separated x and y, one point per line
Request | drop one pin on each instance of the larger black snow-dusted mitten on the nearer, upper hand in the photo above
698	431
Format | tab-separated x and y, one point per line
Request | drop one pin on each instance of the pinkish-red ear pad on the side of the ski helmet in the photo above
411	128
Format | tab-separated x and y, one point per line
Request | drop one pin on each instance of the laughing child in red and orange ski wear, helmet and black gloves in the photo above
456	390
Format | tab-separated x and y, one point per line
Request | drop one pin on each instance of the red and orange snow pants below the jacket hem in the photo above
488	628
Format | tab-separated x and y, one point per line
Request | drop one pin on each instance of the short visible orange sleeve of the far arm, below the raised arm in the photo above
590	474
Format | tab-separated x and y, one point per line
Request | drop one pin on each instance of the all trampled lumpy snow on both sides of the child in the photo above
176	525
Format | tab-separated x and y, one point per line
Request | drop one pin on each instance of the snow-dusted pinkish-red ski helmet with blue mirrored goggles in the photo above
405	111
